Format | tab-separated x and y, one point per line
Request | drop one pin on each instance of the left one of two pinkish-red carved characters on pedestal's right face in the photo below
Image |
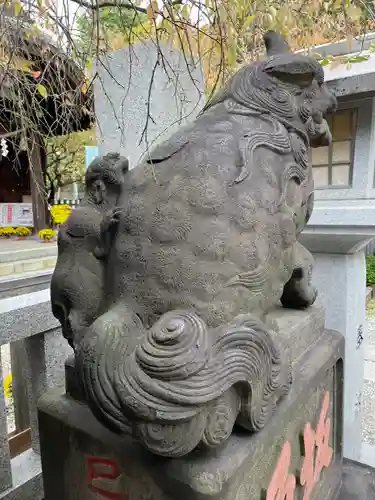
283	484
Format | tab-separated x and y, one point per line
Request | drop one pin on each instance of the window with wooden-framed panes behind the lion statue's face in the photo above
332	165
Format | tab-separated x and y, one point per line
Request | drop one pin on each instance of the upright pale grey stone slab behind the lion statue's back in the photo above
140	101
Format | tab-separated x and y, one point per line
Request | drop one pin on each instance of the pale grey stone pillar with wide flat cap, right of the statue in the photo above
338	244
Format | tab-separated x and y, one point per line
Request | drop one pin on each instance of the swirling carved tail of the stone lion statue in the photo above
179	386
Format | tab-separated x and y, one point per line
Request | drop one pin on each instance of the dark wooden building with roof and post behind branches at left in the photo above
41	95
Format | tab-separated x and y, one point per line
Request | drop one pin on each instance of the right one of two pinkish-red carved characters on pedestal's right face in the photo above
317	452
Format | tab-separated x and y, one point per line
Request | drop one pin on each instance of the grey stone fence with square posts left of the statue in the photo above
38	352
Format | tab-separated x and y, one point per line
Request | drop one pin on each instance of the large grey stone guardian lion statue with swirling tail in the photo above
171	338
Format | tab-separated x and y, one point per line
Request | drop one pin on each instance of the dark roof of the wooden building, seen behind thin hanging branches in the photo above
39	81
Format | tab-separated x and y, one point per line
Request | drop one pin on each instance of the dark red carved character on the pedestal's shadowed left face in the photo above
102	477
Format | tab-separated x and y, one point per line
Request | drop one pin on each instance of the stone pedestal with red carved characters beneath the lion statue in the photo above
298	455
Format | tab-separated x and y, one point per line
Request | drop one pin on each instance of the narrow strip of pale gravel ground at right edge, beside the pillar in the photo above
368	397
